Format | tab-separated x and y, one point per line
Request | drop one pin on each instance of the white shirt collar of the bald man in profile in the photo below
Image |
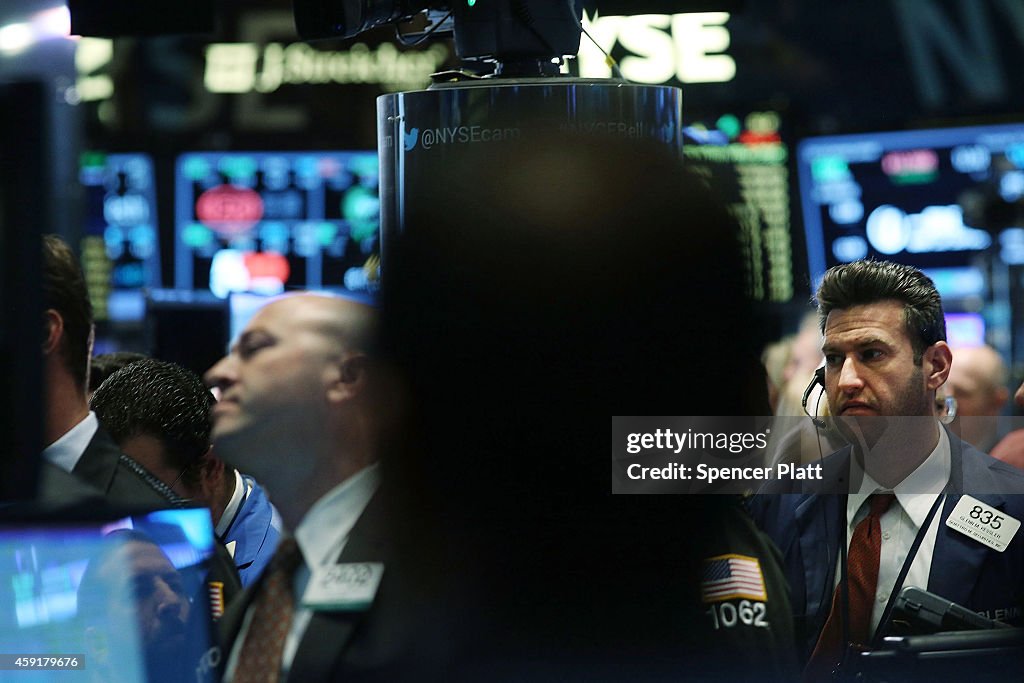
325	529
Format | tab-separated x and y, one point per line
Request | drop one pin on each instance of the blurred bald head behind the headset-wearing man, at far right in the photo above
978	382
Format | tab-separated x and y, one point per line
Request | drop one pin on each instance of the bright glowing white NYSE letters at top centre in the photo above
688	48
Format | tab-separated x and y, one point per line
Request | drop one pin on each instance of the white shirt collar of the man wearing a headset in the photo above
916	493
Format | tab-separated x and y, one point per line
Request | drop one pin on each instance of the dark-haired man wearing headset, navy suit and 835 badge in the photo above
907	503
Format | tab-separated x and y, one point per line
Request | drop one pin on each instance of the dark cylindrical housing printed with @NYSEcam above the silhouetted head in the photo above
424	135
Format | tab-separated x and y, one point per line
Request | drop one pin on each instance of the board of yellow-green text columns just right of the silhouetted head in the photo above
746	160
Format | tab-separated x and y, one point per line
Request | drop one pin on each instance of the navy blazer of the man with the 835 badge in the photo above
809	527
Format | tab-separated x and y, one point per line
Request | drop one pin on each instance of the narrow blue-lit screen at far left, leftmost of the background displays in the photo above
120	243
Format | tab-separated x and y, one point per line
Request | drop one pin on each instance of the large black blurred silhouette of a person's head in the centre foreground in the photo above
540	291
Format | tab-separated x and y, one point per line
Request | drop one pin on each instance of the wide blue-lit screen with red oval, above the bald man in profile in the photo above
271	222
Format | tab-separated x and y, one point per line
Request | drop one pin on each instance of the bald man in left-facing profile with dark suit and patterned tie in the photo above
302	410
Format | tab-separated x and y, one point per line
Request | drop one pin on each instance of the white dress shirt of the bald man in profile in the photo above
322	536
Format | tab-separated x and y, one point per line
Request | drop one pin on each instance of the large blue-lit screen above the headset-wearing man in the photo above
918	197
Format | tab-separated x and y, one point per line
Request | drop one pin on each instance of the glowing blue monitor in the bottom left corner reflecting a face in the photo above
89	589
